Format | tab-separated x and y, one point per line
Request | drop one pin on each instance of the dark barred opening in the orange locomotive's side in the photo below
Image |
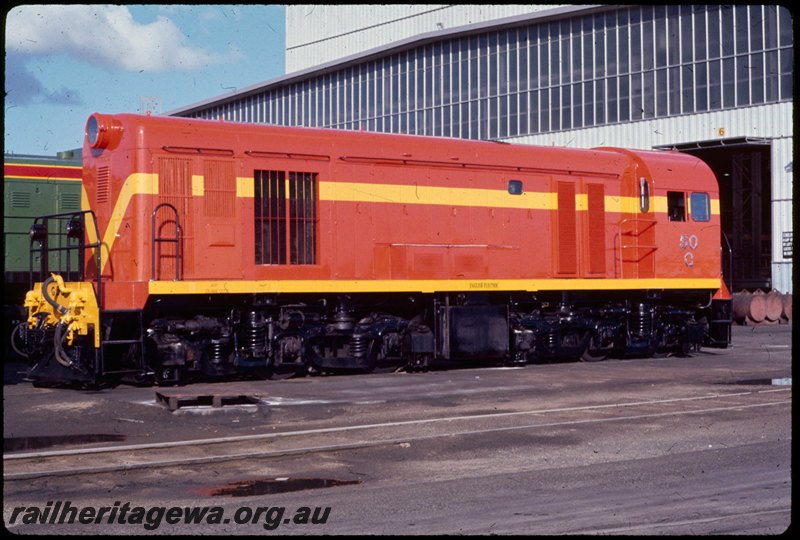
285	207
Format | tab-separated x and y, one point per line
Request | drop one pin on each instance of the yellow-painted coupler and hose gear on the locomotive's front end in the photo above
76	307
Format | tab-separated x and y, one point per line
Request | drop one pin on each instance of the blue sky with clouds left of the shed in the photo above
64	62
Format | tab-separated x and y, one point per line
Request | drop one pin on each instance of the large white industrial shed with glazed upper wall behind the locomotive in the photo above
713	81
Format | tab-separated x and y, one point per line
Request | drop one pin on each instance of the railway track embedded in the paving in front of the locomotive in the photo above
110	458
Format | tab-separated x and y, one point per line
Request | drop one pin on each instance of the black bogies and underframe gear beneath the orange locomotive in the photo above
342	335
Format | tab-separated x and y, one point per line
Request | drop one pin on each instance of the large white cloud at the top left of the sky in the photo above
102	35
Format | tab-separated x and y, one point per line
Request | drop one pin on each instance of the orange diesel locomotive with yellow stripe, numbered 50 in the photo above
214	248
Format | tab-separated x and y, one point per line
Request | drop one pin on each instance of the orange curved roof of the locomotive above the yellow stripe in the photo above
403	149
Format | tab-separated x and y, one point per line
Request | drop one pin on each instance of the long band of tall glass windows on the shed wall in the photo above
626	63
